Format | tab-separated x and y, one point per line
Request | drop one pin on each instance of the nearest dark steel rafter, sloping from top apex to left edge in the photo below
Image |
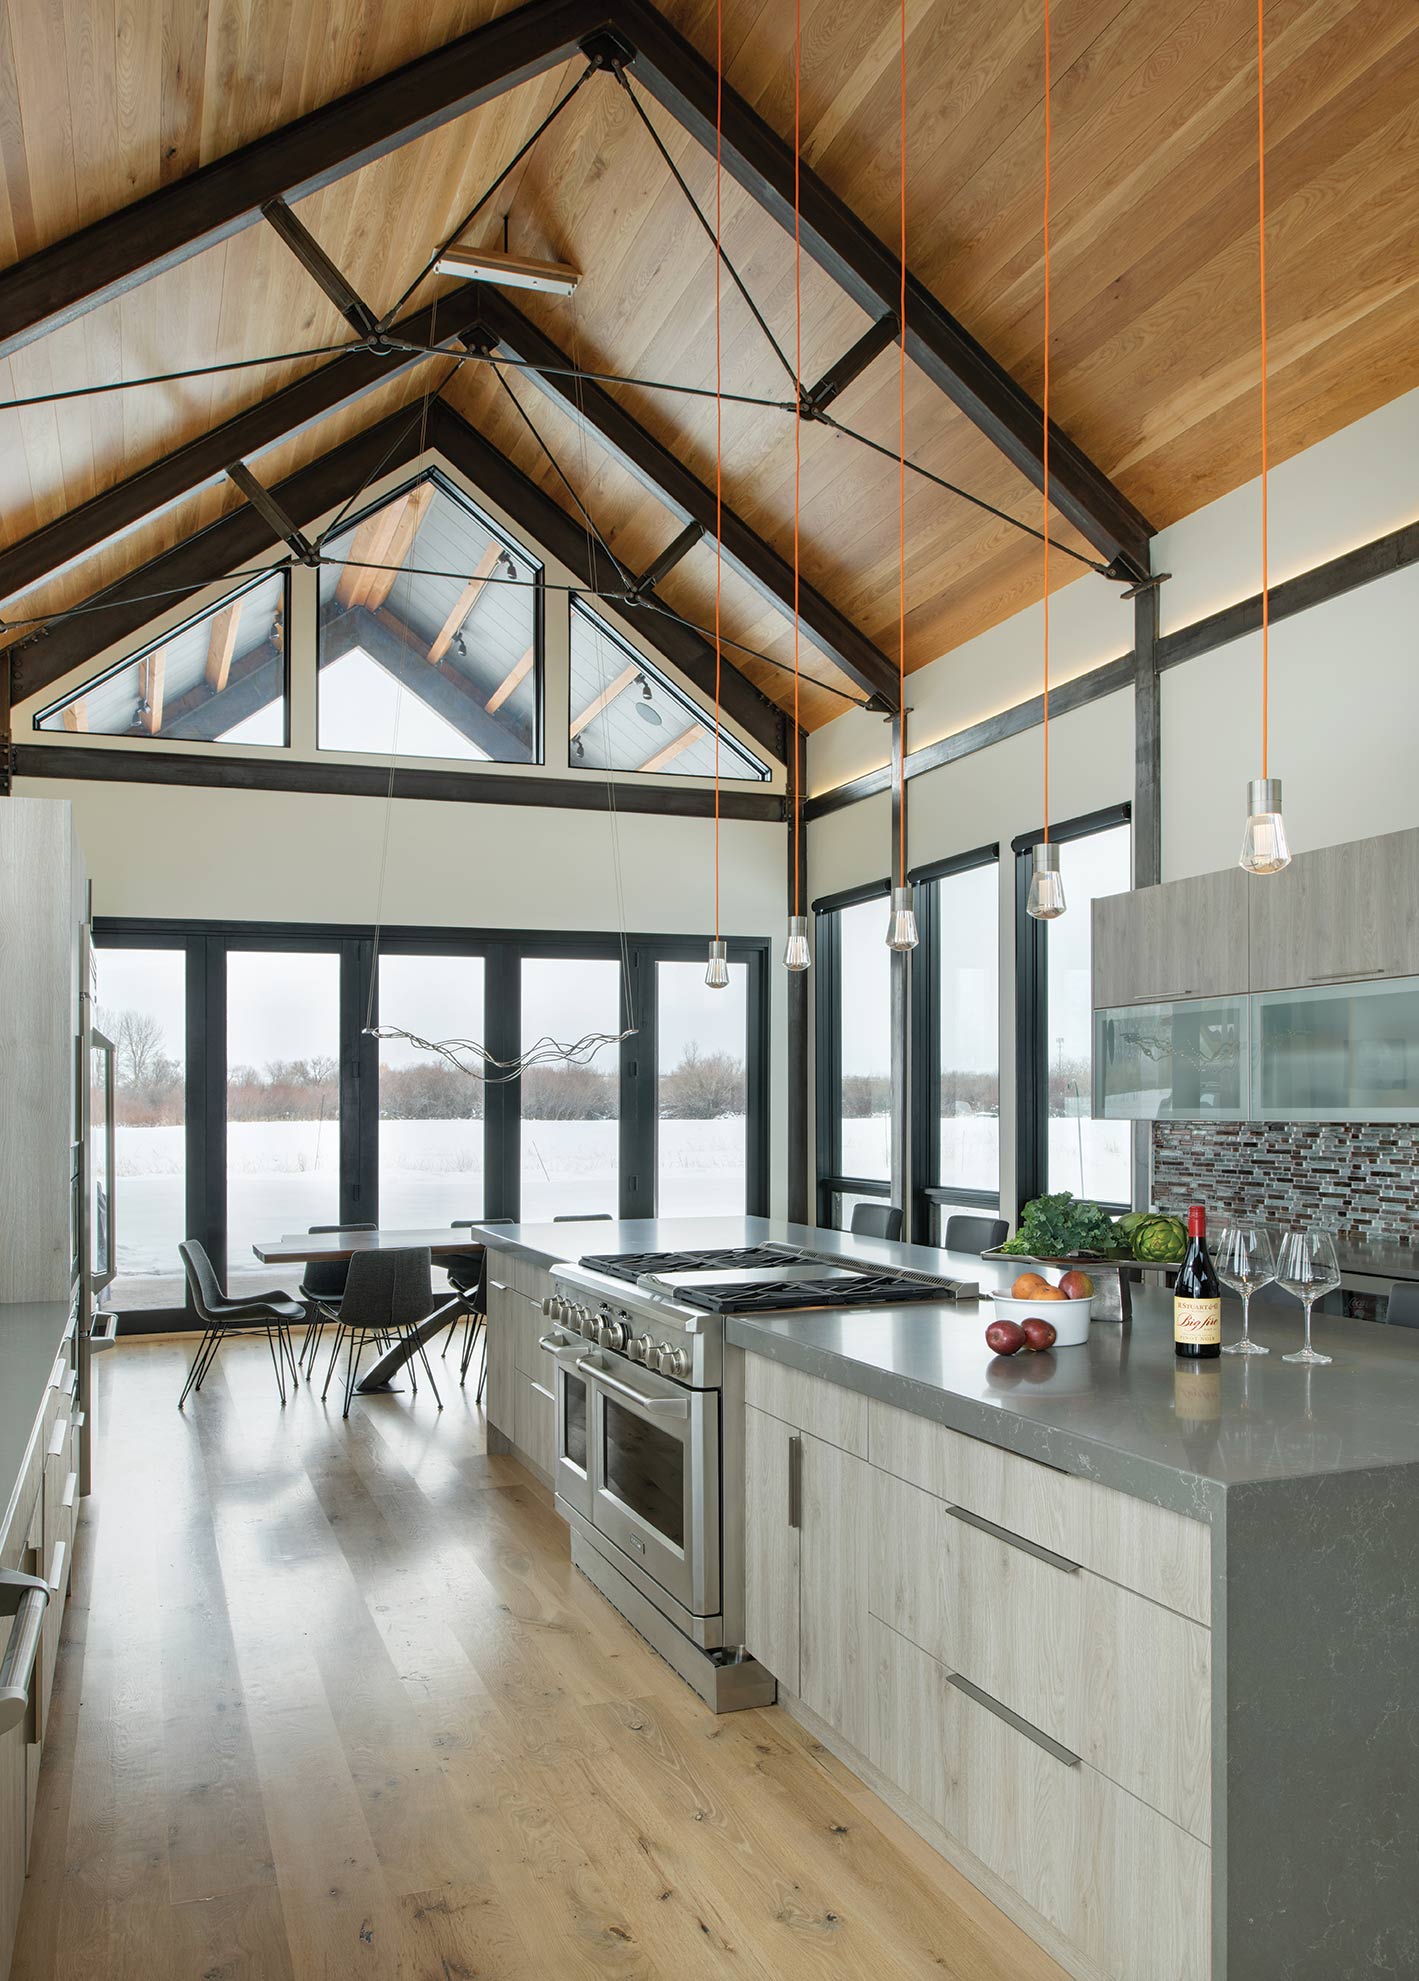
164	229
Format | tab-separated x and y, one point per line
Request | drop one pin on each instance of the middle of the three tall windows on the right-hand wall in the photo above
958	1041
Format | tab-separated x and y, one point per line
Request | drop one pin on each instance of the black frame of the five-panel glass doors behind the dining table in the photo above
209	944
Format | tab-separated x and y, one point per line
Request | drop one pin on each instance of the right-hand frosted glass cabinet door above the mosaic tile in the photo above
1339	1053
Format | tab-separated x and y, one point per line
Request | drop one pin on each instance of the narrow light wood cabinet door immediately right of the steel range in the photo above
772	1536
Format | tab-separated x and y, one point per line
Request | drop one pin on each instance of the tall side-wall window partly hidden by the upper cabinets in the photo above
1061	1148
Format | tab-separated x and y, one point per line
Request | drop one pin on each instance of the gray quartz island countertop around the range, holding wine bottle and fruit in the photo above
1121	1409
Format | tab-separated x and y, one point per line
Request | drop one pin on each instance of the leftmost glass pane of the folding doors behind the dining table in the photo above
142	1007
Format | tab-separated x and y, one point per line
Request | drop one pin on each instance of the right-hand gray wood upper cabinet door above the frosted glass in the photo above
1339	916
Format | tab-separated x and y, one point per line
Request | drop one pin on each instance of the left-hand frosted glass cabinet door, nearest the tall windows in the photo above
1172	1063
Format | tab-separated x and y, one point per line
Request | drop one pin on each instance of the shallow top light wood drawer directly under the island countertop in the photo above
1146	1548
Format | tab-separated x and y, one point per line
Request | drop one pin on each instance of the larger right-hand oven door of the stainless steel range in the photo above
655	1477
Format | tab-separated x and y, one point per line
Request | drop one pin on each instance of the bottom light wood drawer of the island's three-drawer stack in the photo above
1117	1879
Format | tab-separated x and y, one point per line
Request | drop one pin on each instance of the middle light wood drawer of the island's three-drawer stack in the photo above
1113	1677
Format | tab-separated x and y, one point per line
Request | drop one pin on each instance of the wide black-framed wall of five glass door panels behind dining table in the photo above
257	1100
